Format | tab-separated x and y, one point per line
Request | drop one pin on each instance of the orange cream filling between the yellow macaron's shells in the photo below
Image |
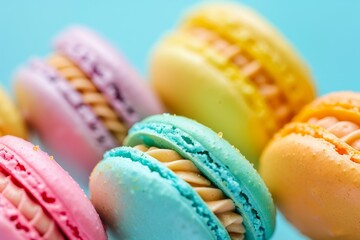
249	68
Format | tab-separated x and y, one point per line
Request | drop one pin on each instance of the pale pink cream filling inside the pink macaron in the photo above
32	211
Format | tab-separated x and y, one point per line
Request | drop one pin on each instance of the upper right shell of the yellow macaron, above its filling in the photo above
273	51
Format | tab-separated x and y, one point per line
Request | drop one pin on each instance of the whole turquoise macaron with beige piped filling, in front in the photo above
177	179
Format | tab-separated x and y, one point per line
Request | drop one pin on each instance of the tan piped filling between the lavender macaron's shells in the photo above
90	95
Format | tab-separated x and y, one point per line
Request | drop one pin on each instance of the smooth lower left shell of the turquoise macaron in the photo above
146	206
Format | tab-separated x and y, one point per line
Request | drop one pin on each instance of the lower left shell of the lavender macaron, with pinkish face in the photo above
59	125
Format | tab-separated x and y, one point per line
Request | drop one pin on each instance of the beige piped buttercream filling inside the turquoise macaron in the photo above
219	204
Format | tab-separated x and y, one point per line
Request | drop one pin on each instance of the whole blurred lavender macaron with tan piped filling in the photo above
82	99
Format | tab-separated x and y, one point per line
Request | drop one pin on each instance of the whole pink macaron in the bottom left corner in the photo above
39	200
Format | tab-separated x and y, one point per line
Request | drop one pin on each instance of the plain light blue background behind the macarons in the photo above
326	33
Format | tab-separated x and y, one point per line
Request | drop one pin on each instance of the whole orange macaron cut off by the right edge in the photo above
312	168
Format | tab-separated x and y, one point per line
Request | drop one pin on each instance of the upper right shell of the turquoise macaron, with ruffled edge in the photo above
218	161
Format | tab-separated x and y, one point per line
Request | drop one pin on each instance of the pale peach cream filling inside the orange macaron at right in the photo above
347	131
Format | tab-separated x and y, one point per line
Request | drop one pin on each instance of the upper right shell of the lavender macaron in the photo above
116	69
